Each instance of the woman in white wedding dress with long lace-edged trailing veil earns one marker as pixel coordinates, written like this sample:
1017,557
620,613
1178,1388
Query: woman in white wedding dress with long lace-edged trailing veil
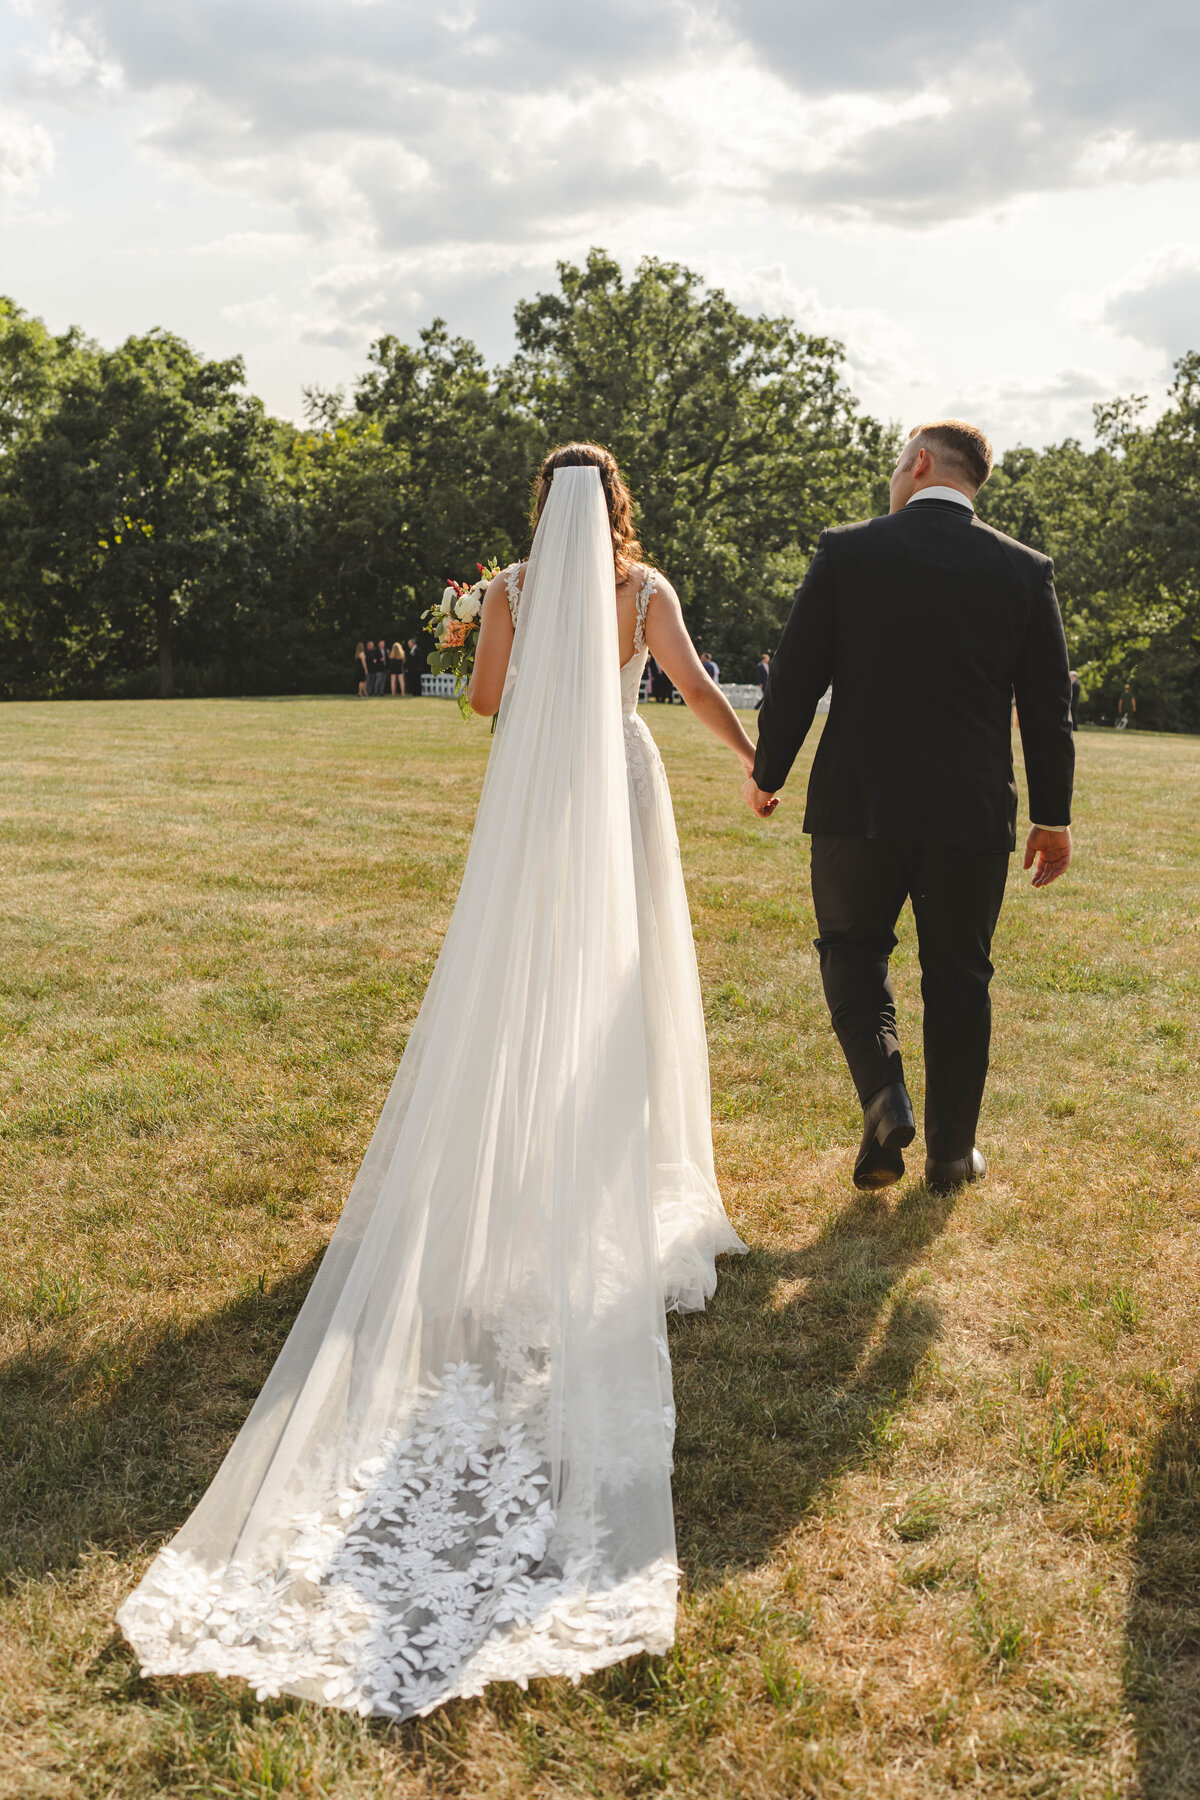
460,1470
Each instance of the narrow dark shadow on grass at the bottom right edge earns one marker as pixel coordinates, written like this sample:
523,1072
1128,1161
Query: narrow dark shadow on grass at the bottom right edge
1163,1635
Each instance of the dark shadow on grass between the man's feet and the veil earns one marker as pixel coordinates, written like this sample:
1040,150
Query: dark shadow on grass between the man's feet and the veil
787,1383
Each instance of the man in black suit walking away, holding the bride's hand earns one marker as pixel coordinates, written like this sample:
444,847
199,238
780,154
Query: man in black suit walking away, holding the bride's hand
927,624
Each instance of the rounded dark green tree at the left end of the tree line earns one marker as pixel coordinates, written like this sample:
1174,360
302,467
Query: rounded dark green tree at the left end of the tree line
136,514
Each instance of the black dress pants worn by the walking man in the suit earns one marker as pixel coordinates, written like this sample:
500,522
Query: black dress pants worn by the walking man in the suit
859,888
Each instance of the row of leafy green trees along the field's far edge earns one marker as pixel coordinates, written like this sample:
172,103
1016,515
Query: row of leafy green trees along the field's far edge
163,534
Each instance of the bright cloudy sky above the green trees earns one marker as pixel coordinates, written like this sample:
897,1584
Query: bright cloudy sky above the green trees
998,210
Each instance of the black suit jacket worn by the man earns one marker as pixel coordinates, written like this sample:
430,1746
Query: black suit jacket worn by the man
927,624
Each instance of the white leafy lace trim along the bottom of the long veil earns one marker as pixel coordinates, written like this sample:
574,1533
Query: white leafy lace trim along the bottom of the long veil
427,1576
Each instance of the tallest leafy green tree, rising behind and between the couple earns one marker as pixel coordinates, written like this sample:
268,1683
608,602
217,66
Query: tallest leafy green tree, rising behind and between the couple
739,436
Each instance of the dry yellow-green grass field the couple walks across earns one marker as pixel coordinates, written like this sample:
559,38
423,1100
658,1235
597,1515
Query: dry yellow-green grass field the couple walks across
938,1462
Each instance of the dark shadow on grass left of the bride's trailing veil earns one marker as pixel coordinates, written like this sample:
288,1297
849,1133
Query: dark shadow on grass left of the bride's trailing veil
112,1443
